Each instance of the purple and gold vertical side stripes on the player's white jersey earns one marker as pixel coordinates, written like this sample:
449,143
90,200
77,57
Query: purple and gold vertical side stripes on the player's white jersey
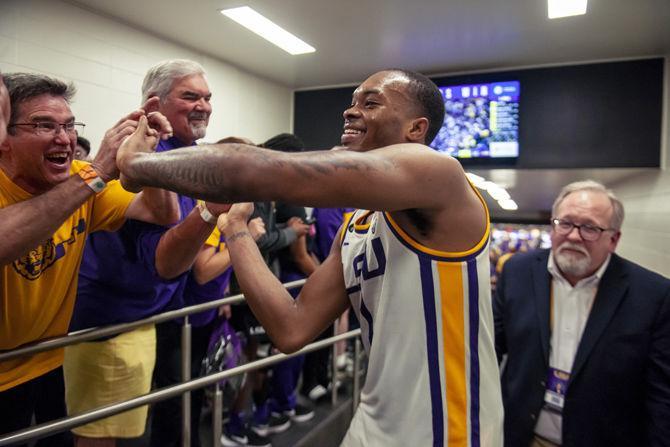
460,361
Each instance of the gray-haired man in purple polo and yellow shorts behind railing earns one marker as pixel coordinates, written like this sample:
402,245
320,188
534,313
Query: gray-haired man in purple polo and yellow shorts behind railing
134,273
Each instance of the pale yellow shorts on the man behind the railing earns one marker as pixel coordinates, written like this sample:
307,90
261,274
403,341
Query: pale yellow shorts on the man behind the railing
110,371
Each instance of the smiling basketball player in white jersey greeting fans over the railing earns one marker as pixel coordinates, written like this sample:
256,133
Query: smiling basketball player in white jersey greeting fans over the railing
414,267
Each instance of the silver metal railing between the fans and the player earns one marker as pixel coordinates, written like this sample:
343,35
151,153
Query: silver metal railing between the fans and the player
186,386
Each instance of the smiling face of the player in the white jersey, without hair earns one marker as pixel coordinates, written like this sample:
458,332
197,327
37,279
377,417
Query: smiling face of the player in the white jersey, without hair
380,113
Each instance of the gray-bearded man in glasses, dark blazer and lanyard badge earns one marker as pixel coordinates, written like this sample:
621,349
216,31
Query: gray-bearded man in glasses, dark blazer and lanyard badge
586,334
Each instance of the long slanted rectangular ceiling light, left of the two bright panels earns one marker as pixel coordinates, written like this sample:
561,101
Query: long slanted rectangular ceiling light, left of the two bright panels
268,30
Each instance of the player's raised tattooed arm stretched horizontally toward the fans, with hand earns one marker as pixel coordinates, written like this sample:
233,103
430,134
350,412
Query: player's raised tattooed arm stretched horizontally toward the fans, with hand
390,178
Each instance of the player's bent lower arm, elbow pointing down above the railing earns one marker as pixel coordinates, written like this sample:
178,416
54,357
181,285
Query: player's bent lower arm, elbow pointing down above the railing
291,324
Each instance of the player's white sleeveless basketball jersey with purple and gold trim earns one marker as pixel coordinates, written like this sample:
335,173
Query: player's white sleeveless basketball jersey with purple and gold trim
427,326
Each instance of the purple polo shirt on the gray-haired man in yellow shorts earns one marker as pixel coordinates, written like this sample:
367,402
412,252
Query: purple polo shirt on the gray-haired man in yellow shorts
118,281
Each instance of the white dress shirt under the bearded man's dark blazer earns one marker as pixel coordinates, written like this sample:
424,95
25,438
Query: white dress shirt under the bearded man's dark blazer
570,309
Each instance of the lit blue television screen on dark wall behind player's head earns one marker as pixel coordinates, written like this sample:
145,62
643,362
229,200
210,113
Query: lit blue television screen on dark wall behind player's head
481,122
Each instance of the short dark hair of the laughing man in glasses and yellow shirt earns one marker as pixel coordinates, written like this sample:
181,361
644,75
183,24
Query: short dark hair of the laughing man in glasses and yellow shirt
25,86
